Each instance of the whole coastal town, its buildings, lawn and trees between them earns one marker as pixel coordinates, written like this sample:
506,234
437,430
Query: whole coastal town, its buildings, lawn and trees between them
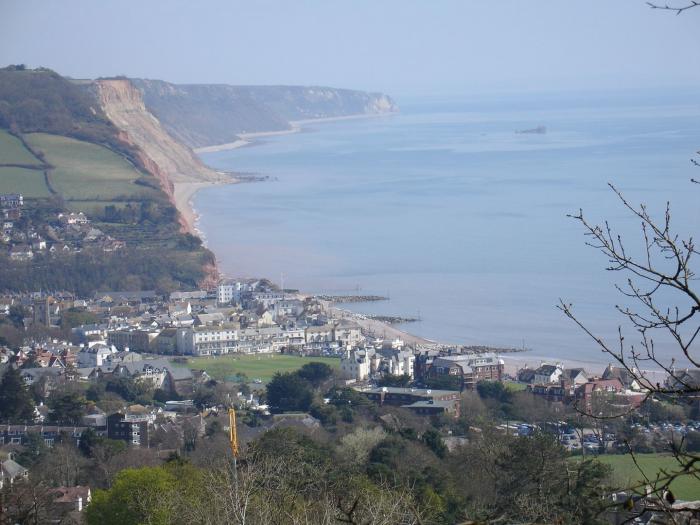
132,367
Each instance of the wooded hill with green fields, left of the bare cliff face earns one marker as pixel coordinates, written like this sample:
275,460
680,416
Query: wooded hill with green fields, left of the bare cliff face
61,152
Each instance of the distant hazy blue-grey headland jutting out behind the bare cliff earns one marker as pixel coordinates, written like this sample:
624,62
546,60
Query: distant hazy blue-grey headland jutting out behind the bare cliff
205,115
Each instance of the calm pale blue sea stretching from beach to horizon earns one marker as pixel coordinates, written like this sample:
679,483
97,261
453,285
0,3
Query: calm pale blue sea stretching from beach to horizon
456,217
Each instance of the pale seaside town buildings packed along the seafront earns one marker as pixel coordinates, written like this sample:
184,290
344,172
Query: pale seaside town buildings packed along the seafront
140,335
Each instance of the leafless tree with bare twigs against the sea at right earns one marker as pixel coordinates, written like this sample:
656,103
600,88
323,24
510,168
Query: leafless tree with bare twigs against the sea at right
661,305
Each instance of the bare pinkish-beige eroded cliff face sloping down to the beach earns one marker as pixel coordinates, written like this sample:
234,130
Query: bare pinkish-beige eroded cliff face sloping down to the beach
166,158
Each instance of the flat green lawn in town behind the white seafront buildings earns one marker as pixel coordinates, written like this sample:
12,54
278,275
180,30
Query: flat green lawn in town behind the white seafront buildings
258,366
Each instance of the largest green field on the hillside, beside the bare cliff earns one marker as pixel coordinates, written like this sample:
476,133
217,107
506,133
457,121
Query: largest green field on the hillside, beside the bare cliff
85,171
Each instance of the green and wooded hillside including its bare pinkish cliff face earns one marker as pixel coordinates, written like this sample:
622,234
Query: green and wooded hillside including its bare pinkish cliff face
63,152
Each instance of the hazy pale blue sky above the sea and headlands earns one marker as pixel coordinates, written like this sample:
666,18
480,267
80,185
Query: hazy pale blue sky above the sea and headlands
398,46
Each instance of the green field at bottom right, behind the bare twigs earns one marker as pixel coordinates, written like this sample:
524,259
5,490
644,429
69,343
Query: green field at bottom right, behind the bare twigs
627,474
